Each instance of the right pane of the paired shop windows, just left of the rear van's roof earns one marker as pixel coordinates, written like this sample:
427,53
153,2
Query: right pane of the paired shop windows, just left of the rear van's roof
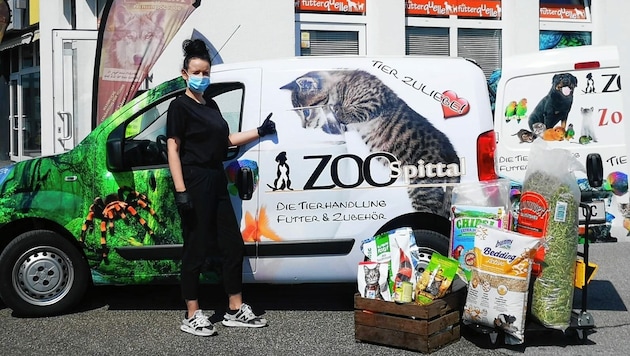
481,45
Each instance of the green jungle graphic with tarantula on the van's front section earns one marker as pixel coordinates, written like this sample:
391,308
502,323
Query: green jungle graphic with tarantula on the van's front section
130,209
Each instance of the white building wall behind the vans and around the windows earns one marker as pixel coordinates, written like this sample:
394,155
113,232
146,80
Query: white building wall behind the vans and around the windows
244,30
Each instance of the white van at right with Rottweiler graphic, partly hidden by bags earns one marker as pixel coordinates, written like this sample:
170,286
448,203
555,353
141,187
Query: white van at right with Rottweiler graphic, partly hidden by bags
571,98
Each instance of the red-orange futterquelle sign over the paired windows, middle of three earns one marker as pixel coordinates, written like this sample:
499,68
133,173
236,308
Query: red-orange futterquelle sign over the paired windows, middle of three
461,8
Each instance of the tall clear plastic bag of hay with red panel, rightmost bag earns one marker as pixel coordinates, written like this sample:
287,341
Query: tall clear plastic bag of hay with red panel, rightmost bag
549,208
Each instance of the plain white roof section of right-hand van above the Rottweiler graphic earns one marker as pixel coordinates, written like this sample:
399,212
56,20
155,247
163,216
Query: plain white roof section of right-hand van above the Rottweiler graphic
559,59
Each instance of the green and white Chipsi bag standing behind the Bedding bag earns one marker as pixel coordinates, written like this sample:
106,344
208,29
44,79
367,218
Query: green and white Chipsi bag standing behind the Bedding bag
474,204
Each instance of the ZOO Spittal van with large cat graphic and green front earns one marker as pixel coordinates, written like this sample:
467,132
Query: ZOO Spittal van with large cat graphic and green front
363,146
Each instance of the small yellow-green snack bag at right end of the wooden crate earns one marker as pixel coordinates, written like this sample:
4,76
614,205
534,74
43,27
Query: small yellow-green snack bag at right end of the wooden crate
436,278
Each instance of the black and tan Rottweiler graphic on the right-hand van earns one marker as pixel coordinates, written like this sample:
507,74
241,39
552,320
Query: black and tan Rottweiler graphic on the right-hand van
554,107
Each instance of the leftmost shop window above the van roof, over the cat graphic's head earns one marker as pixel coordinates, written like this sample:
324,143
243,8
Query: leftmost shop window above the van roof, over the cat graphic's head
326,43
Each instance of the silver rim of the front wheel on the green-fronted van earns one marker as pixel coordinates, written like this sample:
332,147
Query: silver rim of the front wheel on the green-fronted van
43,275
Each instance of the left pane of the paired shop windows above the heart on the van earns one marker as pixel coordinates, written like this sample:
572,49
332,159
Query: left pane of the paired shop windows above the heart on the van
431,41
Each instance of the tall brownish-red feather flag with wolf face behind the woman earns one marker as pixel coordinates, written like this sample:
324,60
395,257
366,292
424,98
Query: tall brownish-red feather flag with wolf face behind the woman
133,35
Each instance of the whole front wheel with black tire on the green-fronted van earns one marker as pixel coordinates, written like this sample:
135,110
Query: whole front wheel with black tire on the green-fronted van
41,274
